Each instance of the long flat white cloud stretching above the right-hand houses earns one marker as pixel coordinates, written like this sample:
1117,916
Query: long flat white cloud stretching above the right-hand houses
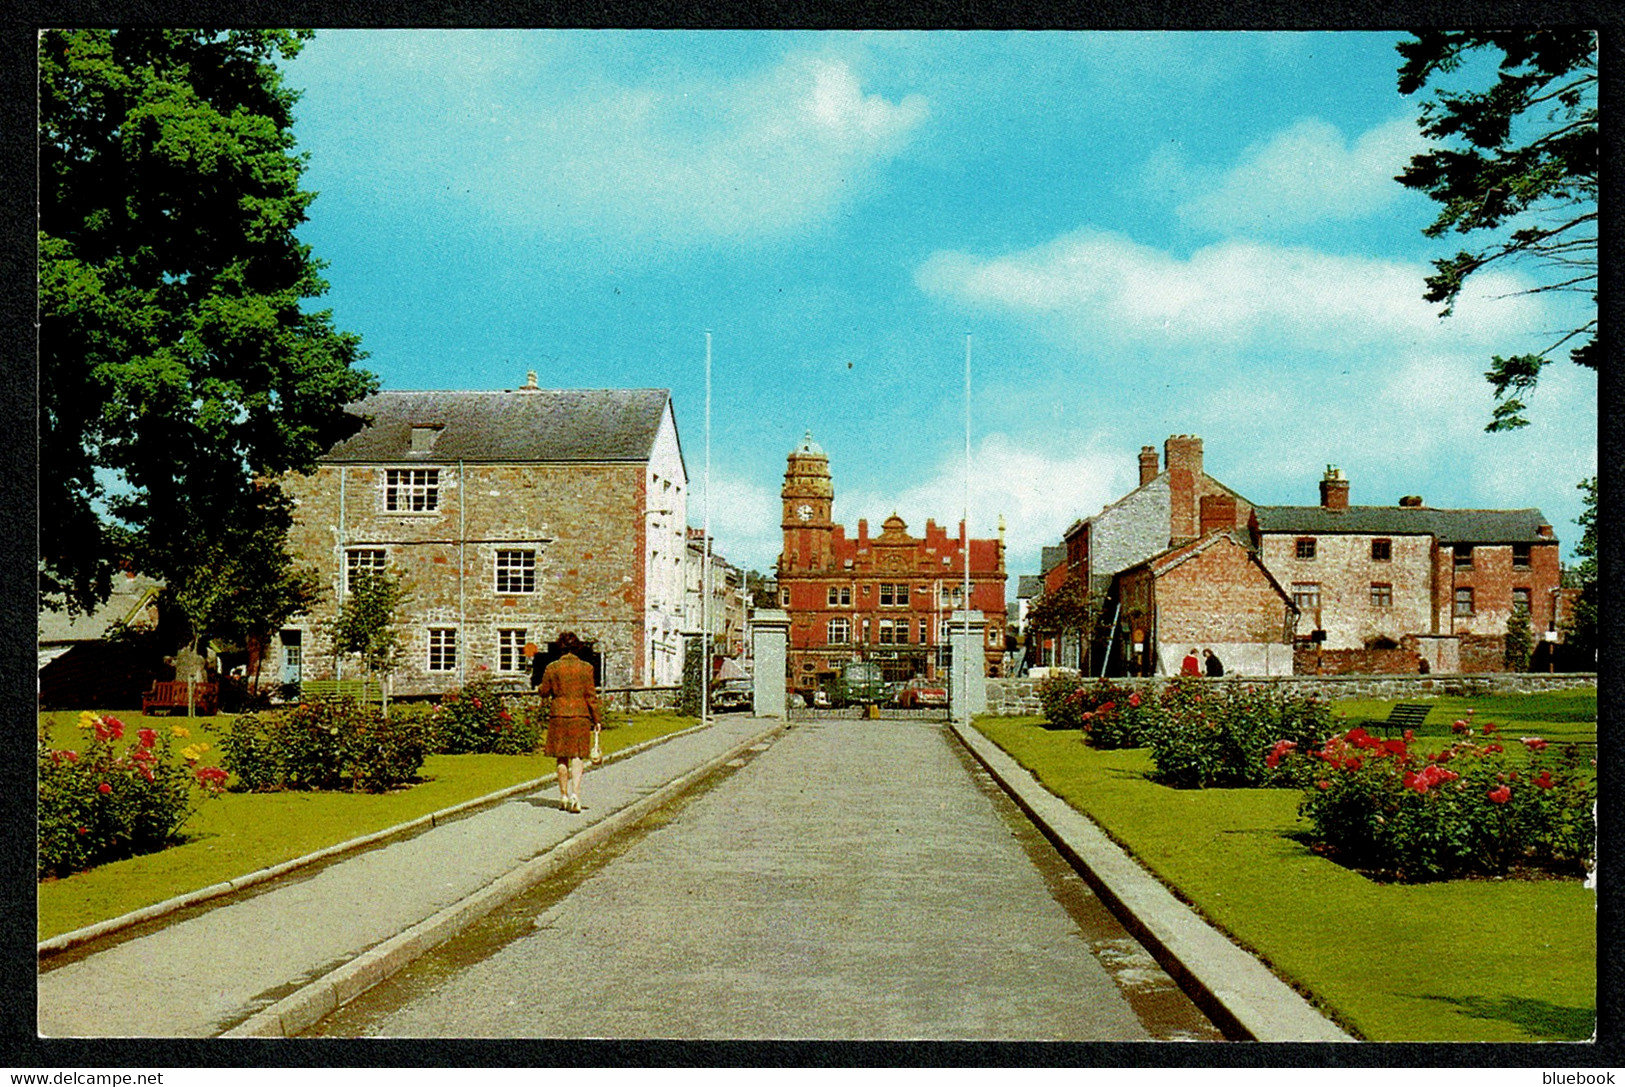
1103,287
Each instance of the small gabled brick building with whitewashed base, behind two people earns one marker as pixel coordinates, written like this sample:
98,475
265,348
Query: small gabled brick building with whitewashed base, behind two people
1211,594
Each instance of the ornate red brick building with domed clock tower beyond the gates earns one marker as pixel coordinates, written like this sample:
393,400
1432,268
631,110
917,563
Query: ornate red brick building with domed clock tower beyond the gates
882,599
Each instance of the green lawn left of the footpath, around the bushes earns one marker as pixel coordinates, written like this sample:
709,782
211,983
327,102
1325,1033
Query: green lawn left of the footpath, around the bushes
243,833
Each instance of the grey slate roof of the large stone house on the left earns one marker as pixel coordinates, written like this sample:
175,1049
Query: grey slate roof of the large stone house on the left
522,425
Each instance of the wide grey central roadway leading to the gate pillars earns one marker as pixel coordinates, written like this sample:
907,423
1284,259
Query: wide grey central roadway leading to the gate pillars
856,880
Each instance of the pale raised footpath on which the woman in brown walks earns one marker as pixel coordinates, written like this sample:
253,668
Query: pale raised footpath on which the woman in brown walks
202,976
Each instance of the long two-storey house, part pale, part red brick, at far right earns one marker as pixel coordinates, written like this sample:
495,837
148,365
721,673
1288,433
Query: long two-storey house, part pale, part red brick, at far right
1408,581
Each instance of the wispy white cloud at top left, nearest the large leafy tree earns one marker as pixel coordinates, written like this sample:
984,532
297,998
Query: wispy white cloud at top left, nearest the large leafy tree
701,163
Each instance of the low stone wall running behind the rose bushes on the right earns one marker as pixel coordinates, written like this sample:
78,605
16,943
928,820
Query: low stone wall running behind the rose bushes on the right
1020,698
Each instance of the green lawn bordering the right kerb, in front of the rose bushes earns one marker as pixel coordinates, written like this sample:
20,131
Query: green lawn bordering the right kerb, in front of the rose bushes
1475,961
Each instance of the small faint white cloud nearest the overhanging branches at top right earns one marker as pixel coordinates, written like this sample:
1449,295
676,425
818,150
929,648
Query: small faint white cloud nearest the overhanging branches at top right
1302,176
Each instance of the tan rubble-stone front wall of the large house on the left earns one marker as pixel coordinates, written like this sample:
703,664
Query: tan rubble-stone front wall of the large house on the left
583,522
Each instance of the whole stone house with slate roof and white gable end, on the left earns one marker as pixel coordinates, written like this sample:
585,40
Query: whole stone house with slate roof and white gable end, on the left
511,516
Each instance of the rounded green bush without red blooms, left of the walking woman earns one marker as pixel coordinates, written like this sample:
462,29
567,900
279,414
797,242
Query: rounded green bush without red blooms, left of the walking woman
327,745
